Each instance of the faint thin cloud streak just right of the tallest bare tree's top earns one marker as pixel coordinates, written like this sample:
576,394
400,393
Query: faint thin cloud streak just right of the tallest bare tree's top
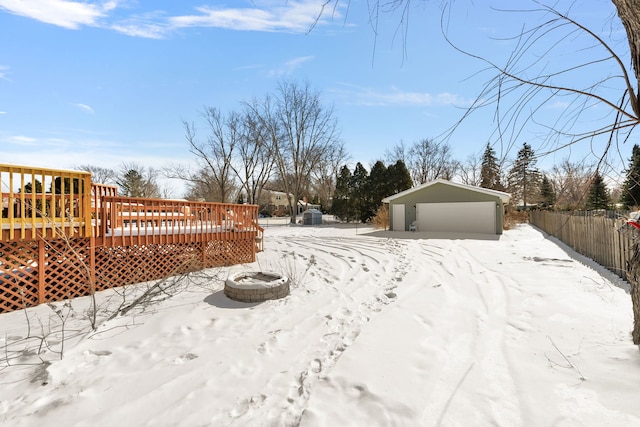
397,97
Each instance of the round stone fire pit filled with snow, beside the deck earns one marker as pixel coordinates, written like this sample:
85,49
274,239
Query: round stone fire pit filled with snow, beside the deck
256,286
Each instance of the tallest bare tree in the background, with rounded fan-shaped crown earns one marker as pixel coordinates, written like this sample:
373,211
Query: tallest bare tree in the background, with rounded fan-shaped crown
303,133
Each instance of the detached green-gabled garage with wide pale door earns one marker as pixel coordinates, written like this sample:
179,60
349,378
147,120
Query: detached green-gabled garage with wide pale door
445,206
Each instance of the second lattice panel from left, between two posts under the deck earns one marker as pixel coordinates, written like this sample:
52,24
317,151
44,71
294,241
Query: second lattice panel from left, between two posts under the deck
67,269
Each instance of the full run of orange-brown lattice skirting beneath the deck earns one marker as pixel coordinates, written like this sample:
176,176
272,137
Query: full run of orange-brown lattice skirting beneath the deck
65,266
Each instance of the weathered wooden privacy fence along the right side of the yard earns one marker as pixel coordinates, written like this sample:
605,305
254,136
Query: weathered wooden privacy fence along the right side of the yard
596,237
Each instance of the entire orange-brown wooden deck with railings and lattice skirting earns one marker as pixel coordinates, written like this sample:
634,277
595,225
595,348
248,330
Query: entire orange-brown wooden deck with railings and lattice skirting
63,236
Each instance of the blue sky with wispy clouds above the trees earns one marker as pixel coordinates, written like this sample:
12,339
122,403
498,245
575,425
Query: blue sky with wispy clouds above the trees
106,82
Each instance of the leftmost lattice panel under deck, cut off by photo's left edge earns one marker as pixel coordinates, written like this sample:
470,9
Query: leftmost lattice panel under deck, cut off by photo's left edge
18,275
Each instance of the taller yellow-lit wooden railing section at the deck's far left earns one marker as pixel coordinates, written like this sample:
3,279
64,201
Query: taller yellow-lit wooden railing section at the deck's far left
49,200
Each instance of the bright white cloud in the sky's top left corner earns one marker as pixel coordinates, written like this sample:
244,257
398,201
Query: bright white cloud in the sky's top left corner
64,13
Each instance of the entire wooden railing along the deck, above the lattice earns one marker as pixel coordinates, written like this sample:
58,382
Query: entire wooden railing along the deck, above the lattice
39,202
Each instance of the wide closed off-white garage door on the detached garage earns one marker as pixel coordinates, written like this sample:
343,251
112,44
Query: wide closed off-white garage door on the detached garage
469,217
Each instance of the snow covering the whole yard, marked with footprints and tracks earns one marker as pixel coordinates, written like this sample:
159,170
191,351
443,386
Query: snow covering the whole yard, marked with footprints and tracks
380,329
